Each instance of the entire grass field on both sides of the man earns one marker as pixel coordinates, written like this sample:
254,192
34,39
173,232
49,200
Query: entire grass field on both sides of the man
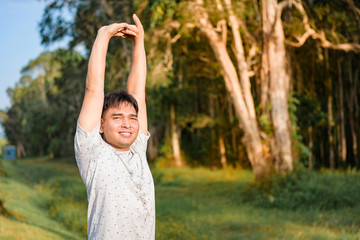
46,199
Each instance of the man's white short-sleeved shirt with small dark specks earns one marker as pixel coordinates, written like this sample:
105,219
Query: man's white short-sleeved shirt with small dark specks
120,187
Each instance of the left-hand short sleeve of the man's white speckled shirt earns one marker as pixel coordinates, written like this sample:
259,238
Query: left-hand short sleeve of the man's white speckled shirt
84,145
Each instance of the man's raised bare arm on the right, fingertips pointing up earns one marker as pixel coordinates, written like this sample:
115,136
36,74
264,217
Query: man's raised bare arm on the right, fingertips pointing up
137,77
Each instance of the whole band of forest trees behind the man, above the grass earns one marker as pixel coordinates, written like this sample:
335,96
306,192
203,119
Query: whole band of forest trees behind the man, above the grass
255,84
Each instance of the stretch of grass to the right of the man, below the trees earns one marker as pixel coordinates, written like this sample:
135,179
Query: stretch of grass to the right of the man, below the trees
205,204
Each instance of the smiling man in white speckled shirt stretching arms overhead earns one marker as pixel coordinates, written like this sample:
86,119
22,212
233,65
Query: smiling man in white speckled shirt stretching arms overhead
114,169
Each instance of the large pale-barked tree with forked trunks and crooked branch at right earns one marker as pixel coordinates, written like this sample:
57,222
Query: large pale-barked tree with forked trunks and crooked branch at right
266,152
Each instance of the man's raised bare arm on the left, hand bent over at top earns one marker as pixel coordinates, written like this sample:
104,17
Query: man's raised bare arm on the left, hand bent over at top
91,109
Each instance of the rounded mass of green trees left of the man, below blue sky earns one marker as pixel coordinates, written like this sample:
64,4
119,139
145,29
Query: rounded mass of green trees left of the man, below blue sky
46,103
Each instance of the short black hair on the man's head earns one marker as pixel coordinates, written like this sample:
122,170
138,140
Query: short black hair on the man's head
115,99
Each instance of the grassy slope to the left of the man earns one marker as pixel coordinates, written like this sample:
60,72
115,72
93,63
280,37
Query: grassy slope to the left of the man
46,190
